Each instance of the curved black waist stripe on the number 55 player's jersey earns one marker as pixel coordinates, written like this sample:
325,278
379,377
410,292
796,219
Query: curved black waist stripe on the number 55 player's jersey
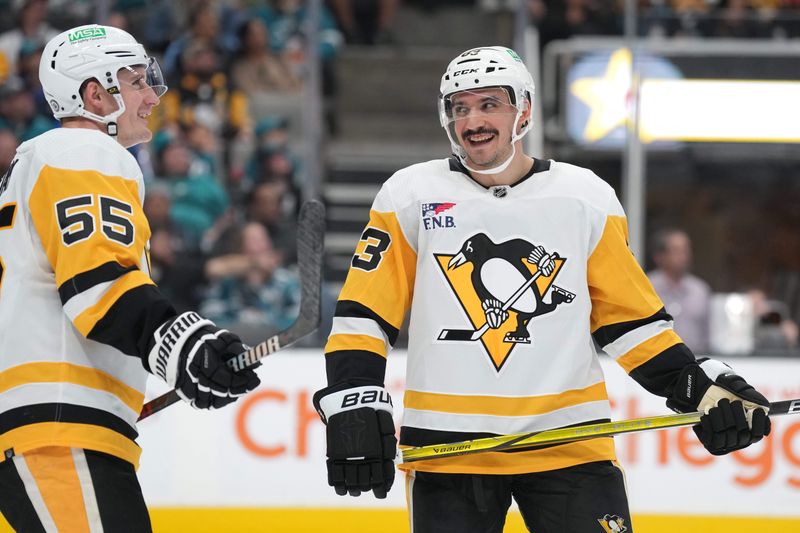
64,413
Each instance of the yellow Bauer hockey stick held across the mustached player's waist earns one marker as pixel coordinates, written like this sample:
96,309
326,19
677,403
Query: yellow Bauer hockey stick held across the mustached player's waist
537,439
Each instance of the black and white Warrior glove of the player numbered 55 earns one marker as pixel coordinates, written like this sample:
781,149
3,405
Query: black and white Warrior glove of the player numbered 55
190,353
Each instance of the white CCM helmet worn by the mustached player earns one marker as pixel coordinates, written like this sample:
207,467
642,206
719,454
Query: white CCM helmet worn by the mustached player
480,68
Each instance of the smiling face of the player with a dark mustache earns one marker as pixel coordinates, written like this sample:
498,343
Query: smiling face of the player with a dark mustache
483,120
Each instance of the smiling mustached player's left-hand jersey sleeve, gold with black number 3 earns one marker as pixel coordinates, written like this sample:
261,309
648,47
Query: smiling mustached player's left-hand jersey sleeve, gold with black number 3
374,299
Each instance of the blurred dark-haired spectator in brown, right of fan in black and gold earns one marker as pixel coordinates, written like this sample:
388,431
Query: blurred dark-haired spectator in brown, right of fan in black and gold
257,68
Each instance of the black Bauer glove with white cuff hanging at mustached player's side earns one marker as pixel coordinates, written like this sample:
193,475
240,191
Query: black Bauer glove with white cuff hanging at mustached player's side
360,434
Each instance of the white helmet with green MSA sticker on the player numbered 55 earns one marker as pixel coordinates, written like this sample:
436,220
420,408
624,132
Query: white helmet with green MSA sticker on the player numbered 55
92,52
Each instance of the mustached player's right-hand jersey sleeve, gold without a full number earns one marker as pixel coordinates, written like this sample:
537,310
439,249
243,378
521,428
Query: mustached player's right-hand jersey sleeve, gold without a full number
628,319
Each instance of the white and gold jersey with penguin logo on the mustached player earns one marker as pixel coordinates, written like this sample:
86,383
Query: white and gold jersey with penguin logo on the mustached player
451,251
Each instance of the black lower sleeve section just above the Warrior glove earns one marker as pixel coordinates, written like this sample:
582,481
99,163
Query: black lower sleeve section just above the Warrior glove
130,322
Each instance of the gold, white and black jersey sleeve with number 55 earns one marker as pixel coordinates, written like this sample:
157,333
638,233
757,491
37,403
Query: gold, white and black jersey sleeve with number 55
94,234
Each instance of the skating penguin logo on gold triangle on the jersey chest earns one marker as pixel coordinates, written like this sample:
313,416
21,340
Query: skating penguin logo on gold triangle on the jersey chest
501,287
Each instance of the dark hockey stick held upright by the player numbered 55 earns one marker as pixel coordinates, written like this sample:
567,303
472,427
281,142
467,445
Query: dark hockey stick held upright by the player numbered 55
310,243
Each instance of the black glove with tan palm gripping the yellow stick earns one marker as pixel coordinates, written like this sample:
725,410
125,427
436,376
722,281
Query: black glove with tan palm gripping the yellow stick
735,413
